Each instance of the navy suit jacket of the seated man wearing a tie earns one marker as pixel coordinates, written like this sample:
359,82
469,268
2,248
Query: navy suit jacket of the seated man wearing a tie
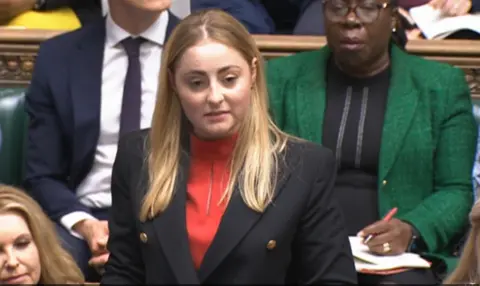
63,103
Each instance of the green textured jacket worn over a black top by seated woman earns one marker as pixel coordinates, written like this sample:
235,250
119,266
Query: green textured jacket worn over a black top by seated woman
428,140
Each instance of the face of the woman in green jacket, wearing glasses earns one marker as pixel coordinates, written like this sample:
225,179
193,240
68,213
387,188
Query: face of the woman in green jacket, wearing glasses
359,38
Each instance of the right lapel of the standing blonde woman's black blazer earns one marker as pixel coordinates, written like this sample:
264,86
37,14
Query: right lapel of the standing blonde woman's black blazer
236,223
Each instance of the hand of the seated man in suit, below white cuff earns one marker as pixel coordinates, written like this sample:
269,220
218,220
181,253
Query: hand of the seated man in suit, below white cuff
95,232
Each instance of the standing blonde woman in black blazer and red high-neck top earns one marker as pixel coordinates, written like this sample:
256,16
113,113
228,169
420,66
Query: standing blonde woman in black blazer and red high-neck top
214,192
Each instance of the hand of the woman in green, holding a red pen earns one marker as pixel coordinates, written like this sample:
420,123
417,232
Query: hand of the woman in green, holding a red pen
395,233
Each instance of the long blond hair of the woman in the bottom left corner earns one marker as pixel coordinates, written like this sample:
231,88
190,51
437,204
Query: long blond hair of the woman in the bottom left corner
57,266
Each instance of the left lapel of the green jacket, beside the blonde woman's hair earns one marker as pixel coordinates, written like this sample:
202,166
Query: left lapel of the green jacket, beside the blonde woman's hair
311,97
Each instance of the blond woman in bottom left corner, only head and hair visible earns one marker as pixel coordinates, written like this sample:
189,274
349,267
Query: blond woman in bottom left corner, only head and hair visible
30,252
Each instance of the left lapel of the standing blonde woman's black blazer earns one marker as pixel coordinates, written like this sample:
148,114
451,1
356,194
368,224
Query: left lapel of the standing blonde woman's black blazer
171,230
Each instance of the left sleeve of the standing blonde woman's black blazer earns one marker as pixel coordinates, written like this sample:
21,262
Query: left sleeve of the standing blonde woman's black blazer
125,263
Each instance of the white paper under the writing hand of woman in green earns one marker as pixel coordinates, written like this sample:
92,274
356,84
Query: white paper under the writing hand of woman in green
364,259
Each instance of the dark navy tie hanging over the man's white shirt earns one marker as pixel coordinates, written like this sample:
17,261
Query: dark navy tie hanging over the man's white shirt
132,93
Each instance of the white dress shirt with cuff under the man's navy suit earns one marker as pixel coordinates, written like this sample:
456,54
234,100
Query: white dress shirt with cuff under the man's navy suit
94,191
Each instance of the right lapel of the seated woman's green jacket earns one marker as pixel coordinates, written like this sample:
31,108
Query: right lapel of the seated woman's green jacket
401,105
